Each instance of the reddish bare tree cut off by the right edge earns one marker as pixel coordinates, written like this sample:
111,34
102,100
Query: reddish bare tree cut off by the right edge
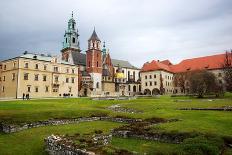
227,69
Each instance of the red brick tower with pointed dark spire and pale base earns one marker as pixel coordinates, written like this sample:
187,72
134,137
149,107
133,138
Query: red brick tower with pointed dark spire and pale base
94,61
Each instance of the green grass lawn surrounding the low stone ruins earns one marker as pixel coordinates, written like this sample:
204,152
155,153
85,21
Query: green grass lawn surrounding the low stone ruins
30,141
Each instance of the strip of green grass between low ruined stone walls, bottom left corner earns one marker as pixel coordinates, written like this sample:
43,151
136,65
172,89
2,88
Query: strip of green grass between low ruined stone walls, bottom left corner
32,141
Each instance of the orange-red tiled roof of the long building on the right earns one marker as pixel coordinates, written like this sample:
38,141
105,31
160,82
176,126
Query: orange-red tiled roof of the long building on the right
200,63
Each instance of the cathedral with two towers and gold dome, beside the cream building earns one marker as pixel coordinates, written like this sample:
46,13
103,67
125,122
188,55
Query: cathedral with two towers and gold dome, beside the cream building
98,73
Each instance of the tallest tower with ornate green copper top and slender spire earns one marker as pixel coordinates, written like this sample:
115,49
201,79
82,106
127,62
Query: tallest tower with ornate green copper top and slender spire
70,42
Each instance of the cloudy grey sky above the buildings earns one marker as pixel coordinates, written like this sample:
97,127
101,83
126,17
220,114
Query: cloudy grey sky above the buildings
134,30
